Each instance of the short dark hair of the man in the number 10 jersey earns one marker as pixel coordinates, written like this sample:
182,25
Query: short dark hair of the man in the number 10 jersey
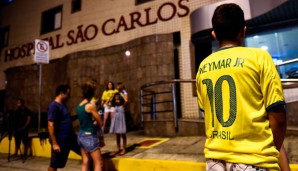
227,21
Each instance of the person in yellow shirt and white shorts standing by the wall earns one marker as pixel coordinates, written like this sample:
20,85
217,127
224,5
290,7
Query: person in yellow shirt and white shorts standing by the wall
107,95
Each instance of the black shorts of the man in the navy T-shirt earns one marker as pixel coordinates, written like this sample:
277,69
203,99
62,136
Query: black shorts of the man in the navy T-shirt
58,160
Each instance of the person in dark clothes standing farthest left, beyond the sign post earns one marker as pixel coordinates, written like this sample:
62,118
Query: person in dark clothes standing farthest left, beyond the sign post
22,119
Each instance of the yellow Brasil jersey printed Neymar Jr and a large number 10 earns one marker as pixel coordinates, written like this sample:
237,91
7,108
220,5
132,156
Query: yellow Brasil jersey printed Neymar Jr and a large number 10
235,87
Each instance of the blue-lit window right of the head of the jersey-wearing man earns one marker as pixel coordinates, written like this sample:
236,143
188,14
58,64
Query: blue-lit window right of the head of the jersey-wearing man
282,45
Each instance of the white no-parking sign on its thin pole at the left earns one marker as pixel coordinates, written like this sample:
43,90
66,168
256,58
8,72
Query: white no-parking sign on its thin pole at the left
41,56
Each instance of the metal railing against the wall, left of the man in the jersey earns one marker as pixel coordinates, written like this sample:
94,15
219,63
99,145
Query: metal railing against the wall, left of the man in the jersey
150,101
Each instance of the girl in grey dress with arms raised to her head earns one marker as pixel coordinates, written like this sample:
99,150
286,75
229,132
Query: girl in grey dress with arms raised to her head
118,125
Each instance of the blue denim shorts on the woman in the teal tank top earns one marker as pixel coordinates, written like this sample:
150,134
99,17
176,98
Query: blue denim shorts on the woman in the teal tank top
88,141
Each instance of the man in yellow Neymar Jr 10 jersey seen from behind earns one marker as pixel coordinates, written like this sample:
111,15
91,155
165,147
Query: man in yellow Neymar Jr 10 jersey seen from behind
240,92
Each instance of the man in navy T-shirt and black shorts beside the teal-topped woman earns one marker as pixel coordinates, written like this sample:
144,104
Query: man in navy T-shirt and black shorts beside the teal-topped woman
62,137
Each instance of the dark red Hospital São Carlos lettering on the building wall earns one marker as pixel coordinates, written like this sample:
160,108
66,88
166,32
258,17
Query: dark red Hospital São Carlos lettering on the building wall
112,26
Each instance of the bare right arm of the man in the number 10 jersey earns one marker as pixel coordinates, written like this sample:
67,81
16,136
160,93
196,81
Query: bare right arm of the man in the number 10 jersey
278,124
